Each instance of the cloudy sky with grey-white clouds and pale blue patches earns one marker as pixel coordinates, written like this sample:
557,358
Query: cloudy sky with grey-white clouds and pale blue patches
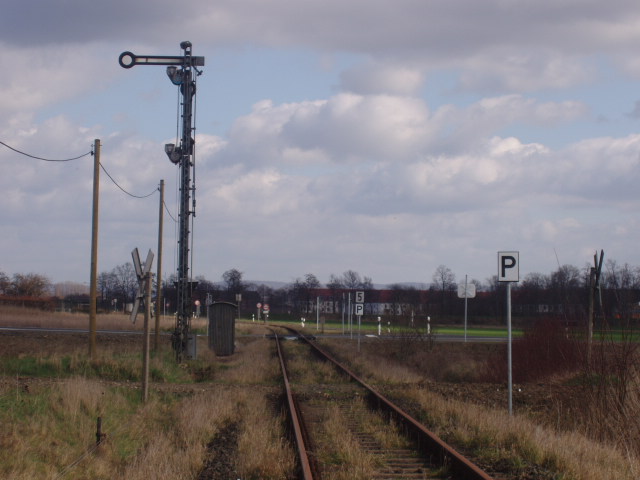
385,137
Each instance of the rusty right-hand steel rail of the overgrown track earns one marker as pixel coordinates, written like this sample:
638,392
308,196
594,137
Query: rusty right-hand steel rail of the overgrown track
434,446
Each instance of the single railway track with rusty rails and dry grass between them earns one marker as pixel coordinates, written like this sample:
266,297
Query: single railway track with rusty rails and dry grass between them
343,428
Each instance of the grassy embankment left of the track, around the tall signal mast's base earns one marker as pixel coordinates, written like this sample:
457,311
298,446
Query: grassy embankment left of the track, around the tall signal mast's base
51,395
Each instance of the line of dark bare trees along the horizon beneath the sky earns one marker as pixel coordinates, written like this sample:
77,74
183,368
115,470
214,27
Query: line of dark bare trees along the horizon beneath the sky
563,292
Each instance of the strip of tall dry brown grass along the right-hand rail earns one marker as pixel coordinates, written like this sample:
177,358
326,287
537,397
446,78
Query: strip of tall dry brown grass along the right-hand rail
500,439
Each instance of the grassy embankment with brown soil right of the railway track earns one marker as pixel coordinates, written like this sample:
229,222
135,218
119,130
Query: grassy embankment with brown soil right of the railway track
519,446
